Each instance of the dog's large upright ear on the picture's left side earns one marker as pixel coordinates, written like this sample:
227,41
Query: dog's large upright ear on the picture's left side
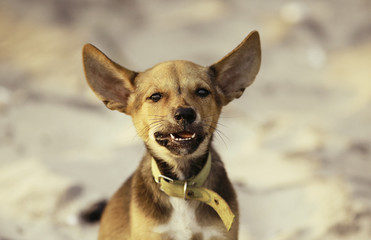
111,82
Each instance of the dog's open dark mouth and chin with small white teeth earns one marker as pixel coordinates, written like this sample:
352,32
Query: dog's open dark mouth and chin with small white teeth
180,143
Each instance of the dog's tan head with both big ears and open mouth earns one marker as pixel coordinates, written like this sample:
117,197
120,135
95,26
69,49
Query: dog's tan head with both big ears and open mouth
175,105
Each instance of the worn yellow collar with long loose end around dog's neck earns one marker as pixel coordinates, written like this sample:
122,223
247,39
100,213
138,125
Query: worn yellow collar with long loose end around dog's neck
191,189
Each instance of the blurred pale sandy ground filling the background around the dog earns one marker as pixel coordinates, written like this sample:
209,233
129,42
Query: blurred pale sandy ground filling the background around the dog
297,145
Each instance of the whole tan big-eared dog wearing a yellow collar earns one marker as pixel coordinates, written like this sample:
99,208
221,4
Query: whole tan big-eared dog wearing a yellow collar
180,189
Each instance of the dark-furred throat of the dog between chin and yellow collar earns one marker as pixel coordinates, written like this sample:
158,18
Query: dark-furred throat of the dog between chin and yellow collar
182,170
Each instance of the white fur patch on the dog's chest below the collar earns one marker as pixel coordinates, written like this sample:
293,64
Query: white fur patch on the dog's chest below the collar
183,224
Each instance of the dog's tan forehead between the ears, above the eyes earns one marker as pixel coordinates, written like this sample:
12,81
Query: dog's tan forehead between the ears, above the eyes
177,73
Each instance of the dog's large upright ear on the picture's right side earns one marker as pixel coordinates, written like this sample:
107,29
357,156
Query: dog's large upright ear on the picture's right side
238,69
